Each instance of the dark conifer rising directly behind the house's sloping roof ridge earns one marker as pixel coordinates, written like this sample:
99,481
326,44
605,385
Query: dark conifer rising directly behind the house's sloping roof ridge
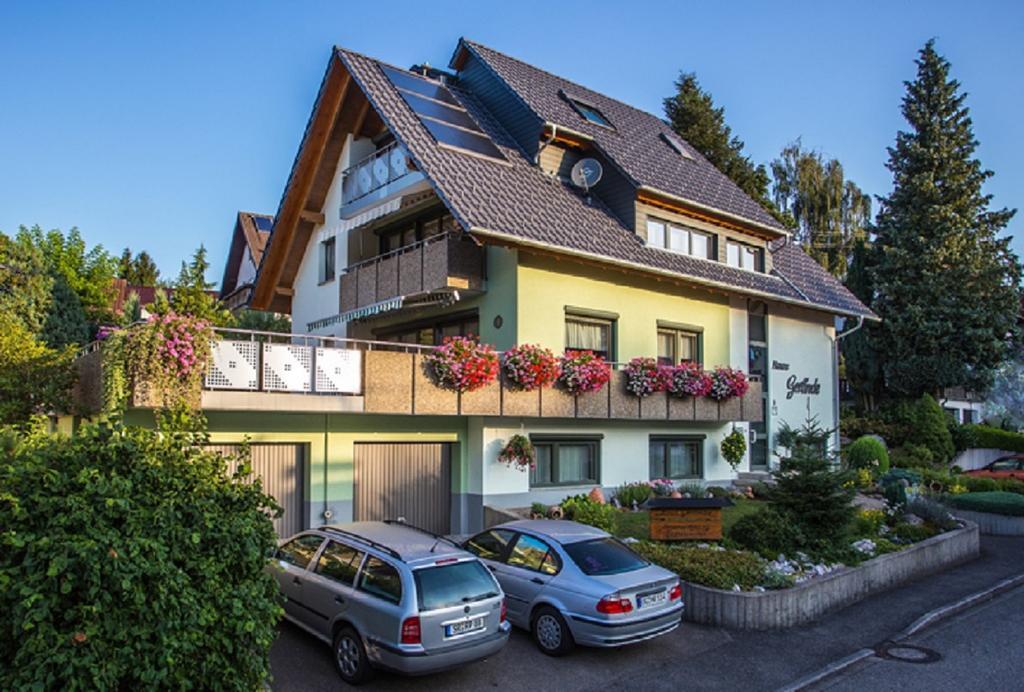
693,114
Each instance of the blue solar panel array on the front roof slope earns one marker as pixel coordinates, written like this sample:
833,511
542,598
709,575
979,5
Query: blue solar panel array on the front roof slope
443,115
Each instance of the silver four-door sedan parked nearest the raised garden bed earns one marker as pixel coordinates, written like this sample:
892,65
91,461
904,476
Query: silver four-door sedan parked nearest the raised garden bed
571,584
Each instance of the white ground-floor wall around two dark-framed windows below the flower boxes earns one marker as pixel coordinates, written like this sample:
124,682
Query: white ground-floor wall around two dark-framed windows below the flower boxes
624,457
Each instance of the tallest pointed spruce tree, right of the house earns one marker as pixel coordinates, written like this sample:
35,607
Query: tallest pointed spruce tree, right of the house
947,287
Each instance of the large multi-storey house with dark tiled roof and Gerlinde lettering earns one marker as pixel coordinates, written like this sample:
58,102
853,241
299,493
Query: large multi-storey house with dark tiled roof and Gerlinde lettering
424,204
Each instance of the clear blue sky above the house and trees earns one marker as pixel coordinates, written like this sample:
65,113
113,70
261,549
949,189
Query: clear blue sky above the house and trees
150,125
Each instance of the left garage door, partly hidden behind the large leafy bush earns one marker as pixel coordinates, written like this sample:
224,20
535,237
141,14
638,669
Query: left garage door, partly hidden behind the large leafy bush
281,468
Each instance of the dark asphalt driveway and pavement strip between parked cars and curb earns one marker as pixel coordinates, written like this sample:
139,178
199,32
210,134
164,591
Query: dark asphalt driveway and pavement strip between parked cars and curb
694,658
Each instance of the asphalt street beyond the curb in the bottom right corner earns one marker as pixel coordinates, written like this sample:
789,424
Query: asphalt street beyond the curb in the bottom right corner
980,650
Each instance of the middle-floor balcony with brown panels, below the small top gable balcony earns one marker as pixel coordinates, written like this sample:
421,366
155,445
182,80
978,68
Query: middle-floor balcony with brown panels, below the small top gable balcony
441,265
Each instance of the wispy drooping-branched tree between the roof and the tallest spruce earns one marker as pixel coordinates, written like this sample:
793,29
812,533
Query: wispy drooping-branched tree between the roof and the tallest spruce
829,213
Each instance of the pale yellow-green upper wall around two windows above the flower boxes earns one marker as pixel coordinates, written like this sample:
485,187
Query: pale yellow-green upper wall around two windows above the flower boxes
546,287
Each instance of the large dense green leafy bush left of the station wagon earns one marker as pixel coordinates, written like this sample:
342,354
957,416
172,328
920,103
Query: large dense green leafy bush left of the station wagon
133,560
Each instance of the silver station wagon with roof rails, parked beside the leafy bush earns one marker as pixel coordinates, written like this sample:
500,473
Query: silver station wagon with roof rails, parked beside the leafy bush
391,596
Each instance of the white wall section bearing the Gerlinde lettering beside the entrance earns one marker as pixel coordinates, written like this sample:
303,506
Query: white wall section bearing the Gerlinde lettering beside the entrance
802,340
